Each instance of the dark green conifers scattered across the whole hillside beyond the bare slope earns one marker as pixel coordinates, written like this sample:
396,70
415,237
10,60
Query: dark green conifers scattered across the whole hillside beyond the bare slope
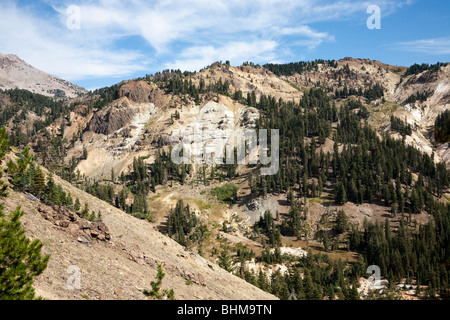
362,167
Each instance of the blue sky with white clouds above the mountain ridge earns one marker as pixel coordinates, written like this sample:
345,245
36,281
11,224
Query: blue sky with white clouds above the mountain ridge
119,40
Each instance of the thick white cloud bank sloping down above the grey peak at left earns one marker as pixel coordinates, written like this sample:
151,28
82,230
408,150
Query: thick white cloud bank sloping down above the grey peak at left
61,51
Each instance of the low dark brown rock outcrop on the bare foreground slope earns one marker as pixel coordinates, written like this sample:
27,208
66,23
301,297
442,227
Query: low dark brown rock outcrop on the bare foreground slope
80,229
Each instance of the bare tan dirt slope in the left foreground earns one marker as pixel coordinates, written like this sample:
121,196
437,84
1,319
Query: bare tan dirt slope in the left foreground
122,267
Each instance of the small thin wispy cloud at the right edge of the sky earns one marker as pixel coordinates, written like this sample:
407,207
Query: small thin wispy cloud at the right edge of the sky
437,46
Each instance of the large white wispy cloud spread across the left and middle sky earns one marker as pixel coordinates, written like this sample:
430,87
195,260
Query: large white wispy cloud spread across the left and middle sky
187,34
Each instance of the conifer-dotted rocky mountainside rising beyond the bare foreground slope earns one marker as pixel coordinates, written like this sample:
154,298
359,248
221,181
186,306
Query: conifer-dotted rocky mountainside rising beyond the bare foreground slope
352,189
